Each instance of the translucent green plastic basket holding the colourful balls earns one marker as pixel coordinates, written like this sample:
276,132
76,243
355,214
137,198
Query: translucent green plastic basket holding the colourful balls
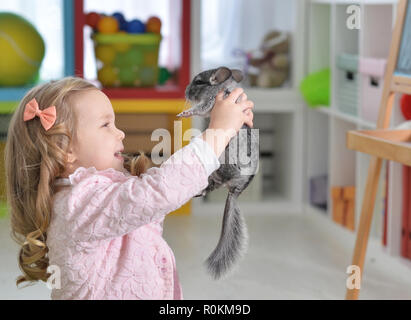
127,60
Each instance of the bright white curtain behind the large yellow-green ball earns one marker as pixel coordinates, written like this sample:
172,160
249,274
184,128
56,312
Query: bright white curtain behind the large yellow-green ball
47,17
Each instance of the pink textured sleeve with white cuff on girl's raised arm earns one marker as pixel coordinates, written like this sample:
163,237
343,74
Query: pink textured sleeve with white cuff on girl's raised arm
101,209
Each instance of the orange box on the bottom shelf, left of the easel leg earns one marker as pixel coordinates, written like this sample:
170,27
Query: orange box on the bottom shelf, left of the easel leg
343,199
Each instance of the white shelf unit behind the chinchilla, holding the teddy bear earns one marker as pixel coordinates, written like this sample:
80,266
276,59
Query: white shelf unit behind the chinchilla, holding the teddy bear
278,112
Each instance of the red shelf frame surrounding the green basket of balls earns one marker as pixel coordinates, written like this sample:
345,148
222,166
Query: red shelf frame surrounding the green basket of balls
176,91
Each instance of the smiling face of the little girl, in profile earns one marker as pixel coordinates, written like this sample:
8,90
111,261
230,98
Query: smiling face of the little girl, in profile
97,139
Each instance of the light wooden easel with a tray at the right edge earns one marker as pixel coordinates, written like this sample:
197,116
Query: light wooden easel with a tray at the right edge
383,144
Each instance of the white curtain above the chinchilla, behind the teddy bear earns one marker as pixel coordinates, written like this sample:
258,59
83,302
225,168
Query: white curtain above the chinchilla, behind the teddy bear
231,25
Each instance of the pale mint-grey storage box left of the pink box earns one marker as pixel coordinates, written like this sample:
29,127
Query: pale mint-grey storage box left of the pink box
347,85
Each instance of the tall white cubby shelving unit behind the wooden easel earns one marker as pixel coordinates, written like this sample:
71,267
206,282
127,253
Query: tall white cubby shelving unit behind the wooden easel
328,37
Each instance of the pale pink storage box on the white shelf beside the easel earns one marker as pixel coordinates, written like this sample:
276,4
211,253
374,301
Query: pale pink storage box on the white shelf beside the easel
372,84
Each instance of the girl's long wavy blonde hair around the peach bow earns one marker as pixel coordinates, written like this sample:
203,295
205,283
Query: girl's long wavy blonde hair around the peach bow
34,158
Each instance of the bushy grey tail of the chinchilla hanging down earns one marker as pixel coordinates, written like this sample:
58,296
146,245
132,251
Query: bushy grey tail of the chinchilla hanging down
233,240
